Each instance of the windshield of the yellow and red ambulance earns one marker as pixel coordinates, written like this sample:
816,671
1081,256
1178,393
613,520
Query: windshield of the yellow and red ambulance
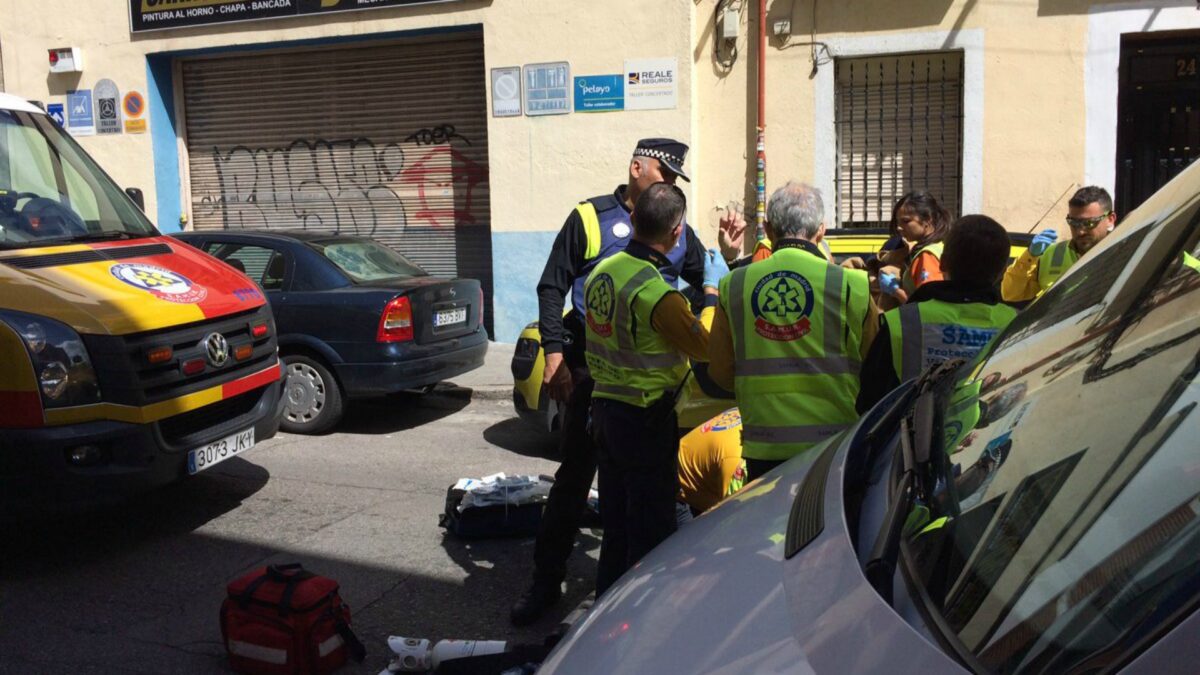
51,192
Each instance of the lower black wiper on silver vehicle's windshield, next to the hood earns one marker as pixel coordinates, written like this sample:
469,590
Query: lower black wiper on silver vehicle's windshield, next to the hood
916,481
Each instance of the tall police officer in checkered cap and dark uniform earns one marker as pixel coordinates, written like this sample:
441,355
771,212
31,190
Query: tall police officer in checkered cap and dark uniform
595,231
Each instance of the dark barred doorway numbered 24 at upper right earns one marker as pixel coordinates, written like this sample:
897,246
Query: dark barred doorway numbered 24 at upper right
1159,112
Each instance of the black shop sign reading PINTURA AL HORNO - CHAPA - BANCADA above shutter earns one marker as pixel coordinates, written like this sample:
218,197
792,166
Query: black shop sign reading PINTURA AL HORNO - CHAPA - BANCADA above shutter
158,15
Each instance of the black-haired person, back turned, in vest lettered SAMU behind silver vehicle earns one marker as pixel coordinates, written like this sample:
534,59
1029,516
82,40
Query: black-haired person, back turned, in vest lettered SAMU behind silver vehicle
944,320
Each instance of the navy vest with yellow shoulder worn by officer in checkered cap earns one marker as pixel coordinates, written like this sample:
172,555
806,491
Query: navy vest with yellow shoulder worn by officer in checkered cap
608,231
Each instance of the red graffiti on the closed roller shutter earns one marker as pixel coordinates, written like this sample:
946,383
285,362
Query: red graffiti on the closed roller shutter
446,182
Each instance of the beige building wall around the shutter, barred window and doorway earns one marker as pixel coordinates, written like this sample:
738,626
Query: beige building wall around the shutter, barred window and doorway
1033,140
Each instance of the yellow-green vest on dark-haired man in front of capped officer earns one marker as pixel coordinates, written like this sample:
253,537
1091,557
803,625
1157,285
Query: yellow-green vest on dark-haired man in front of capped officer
628,360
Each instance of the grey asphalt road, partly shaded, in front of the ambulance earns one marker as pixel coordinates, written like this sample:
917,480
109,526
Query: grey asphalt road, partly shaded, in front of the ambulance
137,588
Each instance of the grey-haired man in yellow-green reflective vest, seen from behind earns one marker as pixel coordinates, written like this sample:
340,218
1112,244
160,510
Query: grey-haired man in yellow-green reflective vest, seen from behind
790,334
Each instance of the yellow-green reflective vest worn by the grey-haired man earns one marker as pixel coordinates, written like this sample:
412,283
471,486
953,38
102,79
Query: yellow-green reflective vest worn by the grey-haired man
797,328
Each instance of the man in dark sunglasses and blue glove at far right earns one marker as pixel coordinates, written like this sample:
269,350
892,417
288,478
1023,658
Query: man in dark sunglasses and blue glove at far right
1091,219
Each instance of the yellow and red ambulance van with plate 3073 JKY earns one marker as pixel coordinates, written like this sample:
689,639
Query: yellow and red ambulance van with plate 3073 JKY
128,360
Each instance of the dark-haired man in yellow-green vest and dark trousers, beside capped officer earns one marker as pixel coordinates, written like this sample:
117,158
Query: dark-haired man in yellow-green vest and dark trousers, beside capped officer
640,334
